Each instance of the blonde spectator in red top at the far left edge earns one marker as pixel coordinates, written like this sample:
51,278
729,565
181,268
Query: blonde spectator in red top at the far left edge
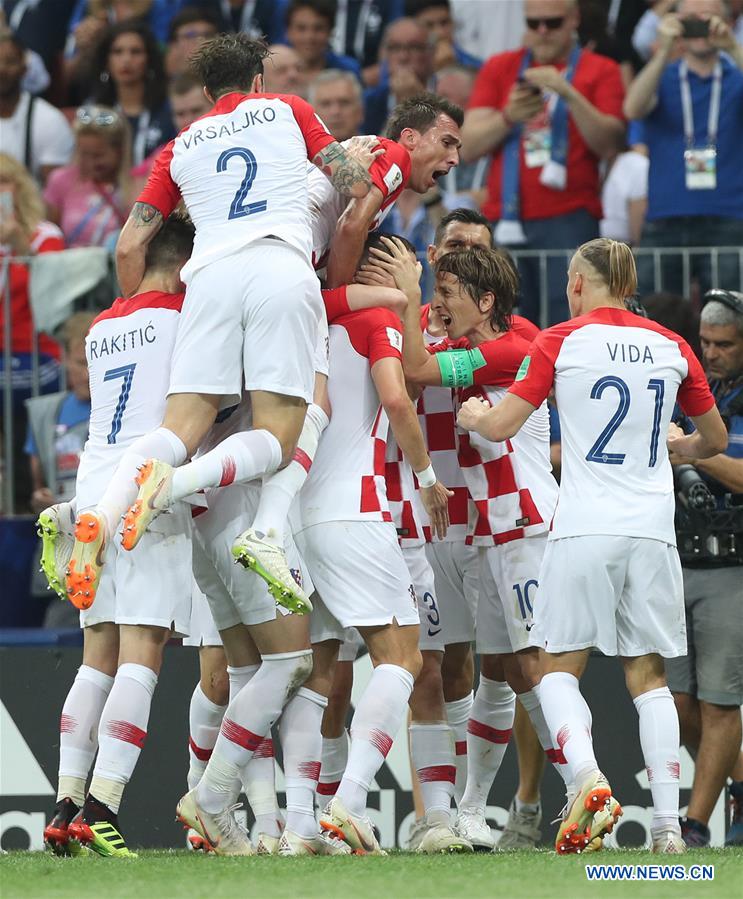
24,232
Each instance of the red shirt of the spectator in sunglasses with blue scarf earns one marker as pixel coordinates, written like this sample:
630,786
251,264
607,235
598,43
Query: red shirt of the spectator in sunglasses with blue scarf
599,80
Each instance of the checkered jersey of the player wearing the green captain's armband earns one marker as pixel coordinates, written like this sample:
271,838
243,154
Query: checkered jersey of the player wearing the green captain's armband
511,484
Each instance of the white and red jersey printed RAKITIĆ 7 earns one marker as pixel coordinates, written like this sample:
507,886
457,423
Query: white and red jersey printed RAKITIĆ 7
128,348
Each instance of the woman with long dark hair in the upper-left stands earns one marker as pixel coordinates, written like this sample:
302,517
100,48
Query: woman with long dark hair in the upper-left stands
128,75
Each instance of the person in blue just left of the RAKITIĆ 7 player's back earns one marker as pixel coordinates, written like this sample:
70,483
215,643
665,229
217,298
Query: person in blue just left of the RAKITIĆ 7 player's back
58,422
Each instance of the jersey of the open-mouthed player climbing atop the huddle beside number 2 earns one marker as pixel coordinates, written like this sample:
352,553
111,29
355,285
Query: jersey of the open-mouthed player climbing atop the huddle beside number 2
389,173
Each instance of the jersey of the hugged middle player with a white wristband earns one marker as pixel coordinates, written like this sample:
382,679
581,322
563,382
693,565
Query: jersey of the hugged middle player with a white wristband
346,480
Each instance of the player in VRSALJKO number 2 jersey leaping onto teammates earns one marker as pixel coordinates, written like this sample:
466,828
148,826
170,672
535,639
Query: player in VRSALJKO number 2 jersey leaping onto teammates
241,171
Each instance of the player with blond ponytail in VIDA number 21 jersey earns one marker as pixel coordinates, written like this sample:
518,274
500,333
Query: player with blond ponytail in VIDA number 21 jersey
611,576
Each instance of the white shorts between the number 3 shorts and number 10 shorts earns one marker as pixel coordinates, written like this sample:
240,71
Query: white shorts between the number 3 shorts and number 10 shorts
456,573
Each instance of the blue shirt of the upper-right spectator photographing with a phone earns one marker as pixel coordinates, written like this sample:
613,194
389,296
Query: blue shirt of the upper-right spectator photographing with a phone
664,136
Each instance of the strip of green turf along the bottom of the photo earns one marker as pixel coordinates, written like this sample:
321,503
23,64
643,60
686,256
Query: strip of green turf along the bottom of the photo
531,875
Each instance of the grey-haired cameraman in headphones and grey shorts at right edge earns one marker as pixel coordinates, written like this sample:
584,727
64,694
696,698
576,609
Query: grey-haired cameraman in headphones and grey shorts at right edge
707,683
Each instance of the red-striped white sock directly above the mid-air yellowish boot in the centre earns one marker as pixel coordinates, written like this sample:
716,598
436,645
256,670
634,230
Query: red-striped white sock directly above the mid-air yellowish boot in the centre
280,489
